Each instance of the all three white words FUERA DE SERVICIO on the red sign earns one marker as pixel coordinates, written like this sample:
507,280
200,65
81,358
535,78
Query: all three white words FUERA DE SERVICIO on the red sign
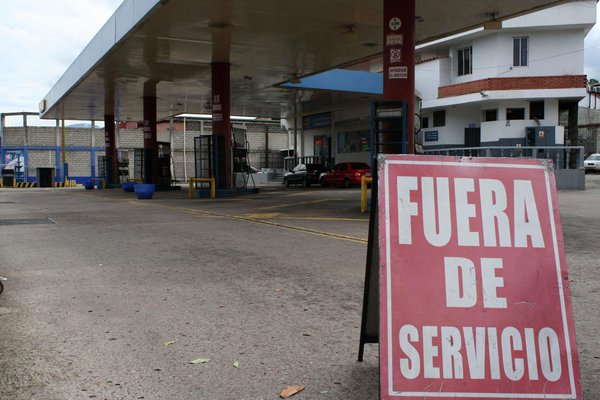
473,352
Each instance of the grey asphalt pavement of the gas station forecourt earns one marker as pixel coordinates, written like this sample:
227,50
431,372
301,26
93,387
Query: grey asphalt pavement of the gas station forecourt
109,297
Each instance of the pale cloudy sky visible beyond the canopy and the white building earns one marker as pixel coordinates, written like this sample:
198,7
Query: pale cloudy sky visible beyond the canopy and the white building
39,39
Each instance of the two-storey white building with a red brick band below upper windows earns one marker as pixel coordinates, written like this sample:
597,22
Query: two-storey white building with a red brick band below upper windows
487,86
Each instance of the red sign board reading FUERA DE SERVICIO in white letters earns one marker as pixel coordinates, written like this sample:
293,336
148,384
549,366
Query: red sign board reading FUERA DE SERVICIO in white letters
474,297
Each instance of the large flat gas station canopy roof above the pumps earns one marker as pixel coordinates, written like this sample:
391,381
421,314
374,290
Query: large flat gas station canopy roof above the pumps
165,48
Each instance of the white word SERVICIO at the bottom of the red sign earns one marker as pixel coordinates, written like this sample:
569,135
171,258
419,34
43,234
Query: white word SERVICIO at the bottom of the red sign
479,342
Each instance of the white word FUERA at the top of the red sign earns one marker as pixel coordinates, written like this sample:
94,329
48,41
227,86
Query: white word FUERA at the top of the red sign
522,231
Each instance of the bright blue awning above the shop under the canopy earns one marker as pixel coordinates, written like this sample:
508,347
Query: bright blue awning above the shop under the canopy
341,80
